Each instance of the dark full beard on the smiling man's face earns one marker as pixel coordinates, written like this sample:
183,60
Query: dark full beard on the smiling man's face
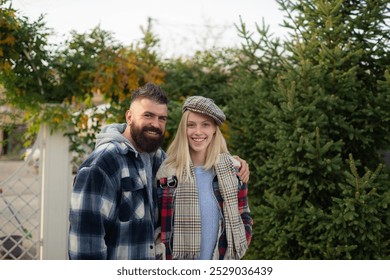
143,141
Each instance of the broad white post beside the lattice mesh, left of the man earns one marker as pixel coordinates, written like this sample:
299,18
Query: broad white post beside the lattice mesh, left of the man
56,176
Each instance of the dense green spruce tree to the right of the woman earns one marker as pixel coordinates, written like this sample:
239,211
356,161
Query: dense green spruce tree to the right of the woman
320,191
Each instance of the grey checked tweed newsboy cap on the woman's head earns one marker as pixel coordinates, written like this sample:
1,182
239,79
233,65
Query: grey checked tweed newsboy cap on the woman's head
206,106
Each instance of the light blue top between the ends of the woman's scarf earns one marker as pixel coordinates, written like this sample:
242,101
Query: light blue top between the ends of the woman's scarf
209,212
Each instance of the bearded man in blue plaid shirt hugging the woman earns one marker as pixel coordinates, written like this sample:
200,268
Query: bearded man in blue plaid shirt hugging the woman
113,211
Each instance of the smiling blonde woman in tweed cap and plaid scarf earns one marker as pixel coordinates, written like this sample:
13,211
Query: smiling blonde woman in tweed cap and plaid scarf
204,210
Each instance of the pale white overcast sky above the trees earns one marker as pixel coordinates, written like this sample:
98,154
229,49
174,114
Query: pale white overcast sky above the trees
182,25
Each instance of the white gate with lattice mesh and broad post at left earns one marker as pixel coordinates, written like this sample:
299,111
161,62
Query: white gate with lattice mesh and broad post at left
34,202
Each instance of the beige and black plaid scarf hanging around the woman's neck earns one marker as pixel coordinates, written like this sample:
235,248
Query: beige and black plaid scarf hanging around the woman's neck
187,230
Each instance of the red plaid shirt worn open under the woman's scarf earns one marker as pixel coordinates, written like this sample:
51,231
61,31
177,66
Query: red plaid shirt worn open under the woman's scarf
166,203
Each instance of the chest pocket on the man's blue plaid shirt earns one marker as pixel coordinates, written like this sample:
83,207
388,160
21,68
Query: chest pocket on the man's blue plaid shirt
132,205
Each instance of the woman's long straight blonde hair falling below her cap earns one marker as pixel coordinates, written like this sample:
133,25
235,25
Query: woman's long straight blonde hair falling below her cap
178,153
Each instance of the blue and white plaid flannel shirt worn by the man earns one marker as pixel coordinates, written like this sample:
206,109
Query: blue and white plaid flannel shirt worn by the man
113,210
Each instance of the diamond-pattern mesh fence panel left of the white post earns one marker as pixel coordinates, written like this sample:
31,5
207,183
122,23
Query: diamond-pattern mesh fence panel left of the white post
20,211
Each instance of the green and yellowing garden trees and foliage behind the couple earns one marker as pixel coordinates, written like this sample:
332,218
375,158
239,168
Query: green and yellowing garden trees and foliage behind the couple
309,112
